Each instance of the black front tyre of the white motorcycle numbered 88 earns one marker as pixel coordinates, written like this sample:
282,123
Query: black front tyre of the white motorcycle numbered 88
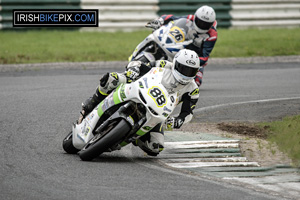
112,134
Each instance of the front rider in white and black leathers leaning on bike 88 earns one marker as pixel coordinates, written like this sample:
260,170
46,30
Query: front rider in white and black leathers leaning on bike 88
178,77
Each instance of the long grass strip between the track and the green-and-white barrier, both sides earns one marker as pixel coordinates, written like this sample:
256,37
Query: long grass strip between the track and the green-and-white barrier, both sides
74,46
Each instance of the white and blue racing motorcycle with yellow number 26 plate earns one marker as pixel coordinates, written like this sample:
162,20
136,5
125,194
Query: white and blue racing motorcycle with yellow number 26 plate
163,43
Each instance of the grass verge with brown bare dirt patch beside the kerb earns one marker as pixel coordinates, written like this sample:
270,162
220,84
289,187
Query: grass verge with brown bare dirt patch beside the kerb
283,134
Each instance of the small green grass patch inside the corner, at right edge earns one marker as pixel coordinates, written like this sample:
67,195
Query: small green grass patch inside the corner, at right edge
286,134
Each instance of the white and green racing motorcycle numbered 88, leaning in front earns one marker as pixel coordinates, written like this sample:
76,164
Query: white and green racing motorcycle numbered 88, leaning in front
128,113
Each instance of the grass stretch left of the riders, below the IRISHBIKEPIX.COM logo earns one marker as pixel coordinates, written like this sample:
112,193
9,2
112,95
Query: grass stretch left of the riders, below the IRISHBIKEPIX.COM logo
66,46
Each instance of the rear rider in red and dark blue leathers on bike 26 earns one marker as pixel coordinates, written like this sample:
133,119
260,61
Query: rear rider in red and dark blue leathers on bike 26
202,30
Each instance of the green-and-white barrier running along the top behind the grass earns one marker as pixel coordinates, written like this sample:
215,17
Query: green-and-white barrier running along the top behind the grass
133,14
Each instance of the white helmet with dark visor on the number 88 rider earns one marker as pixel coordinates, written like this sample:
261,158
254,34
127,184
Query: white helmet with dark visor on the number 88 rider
185,66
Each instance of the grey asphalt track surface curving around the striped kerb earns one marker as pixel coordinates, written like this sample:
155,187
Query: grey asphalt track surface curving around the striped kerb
38,107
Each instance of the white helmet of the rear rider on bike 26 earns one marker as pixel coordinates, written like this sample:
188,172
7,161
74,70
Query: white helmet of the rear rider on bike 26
204,18
